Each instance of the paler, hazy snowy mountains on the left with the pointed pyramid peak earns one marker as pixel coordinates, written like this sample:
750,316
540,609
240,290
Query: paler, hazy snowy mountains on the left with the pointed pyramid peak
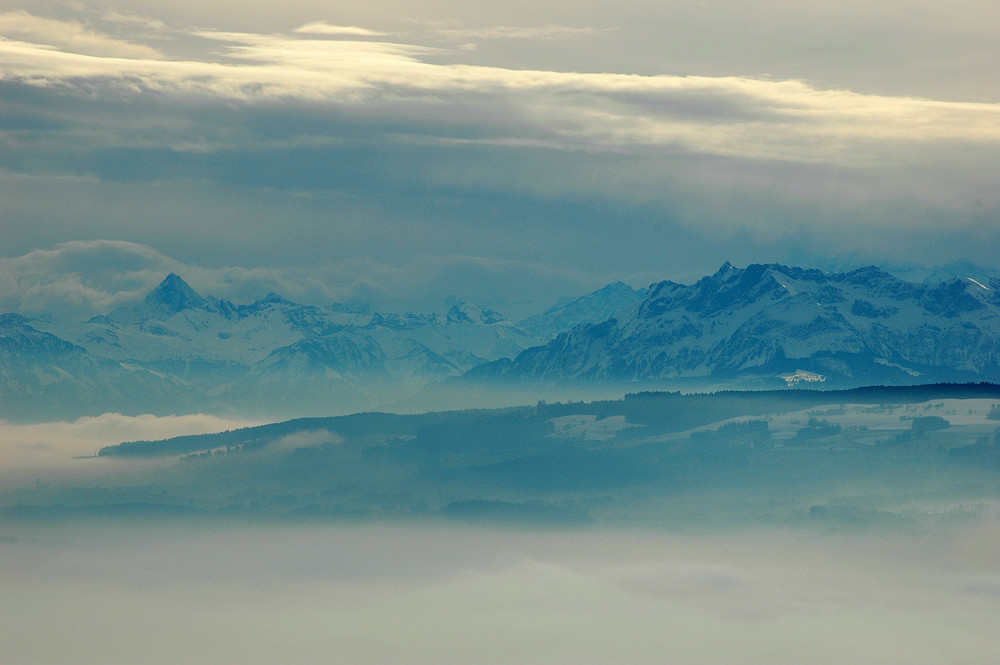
180,351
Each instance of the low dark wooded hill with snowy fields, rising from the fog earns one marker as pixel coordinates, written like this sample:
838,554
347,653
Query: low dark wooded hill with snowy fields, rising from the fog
870,457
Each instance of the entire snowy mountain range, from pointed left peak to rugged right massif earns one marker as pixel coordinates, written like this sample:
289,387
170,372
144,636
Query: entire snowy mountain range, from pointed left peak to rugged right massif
178,351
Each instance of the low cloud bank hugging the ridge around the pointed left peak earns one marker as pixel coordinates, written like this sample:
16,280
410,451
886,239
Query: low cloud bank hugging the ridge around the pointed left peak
77,280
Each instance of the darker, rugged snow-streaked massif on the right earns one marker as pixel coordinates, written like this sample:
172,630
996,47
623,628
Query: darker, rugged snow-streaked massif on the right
768,321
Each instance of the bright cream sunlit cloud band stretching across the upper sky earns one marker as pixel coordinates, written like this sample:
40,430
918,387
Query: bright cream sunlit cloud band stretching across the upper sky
746,117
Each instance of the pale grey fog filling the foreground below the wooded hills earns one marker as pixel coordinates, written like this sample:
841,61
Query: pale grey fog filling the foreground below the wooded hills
124,593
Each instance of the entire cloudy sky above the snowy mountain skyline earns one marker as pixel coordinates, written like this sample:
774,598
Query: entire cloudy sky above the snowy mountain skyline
402,153
